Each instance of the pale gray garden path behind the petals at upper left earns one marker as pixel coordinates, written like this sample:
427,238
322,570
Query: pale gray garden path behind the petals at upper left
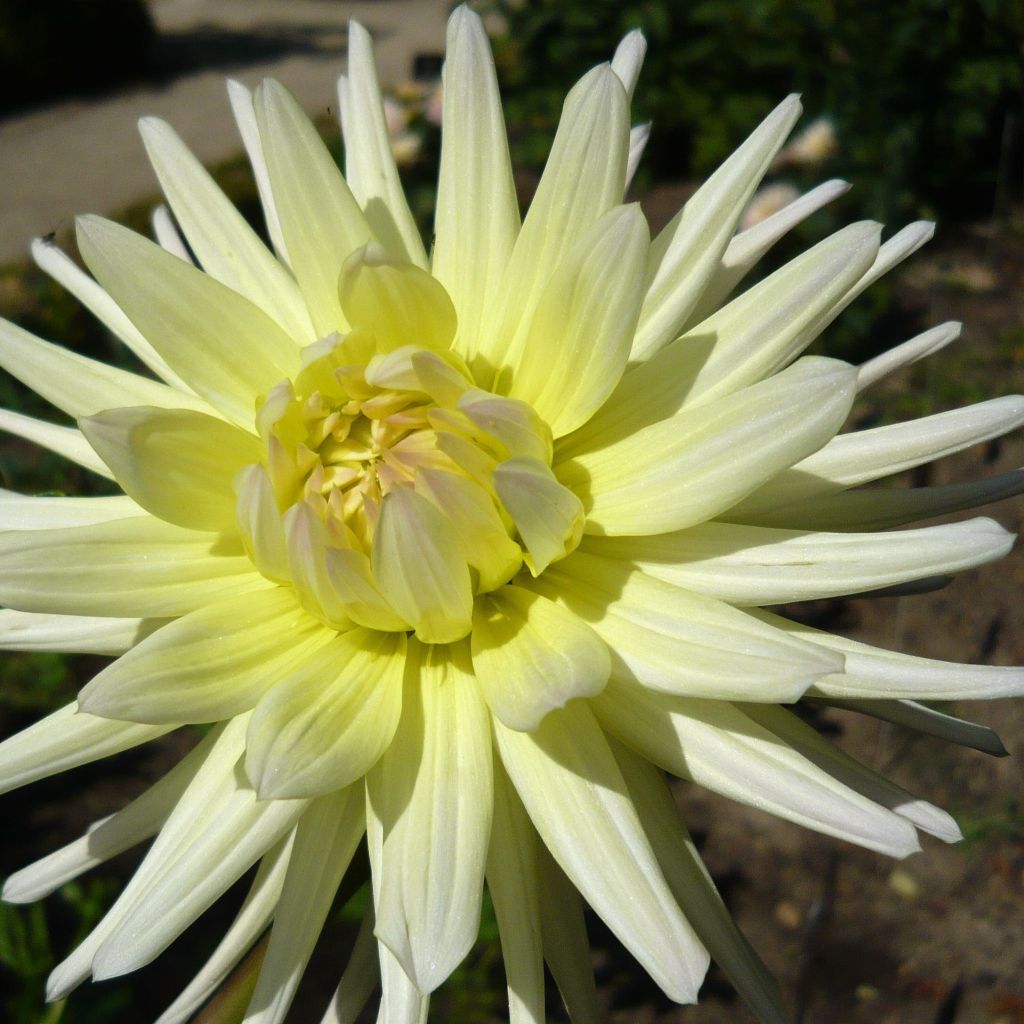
86,156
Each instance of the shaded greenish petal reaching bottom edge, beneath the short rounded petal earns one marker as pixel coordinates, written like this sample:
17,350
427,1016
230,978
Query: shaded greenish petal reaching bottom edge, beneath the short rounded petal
325,841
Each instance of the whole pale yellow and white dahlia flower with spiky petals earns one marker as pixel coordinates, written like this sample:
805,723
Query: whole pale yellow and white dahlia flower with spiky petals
460,551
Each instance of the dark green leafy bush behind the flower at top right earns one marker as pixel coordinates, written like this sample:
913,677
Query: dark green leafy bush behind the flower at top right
920,93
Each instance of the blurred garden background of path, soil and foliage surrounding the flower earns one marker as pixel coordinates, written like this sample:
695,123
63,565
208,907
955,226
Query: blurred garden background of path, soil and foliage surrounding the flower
920,105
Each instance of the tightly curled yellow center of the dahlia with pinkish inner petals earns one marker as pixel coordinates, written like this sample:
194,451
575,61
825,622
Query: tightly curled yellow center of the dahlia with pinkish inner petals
395,491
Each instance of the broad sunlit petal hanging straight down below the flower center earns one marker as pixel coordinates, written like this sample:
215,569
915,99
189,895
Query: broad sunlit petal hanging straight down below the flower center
430,806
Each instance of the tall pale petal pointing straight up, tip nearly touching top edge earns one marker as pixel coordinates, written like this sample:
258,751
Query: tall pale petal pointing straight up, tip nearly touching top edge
478,218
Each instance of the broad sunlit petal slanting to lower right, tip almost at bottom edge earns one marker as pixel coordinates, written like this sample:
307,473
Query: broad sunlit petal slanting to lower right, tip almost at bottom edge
566,773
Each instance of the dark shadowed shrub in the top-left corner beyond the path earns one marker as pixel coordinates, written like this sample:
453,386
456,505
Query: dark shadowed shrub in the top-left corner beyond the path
70,47
